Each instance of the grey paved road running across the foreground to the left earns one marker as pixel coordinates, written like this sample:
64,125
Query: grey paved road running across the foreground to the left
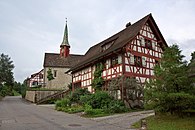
17,114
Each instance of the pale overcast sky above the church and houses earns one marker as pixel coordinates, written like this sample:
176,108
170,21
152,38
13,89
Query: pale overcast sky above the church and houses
29,28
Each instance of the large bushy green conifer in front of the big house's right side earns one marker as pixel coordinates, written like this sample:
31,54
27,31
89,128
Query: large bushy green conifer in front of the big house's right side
170,90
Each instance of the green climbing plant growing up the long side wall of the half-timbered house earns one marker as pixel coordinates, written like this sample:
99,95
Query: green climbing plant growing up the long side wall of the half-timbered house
98,81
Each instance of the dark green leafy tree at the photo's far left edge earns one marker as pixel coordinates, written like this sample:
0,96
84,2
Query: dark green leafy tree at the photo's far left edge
6,68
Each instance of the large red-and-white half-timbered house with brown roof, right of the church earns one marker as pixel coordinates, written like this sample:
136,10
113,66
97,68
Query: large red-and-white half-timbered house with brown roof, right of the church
132,52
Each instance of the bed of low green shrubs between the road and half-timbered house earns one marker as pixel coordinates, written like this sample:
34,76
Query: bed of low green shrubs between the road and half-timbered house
97,104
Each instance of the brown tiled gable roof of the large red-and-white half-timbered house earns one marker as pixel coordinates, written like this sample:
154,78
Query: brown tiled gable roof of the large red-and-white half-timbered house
117,42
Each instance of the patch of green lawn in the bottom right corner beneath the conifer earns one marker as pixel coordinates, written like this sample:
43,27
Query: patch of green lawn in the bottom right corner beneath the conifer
168,122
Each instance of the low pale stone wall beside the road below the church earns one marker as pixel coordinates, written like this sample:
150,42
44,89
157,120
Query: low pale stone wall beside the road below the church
37,95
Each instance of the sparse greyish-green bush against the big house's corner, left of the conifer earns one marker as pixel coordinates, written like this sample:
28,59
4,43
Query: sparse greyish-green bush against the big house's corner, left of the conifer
133,91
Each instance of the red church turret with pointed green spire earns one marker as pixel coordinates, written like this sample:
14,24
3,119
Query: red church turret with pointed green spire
65,47
